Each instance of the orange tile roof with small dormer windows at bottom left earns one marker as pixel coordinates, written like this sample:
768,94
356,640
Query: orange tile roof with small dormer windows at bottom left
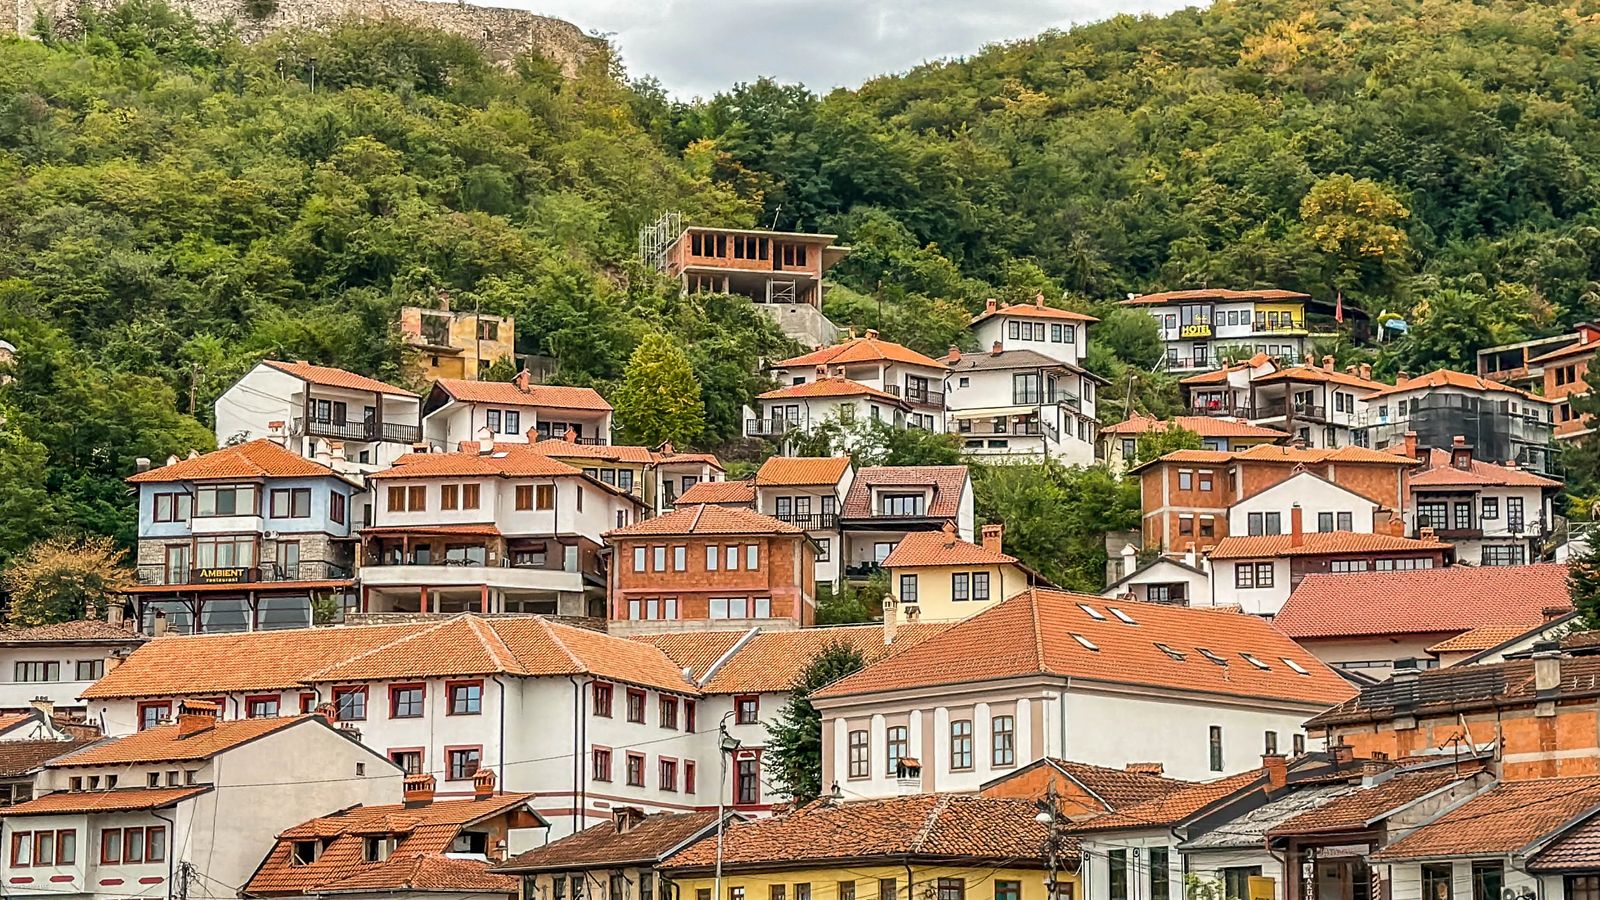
418,862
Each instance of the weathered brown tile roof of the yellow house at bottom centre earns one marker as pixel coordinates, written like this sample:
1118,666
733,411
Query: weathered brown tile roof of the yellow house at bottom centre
943,827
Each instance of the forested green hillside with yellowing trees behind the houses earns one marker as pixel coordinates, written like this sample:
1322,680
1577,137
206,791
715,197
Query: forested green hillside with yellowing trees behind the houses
178,206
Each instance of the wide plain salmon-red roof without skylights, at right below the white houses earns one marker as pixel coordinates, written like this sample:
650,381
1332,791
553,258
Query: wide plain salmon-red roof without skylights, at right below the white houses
1425,601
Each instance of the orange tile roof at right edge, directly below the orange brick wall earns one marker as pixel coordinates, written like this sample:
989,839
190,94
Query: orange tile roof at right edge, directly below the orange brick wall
1500,822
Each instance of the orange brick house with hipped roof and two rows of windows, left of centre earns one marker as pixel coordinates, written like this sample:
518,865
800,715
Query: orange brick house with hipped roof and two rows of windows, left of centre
711,565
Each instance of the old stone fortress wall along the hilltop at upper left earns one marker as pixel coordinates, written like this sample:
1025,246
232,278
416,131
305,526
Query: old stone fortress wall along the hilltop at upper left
503,34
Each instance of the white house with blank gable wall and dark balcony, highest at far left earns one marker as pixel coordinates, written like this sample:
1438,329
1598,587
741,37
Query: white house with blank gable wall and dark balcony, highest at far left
308,404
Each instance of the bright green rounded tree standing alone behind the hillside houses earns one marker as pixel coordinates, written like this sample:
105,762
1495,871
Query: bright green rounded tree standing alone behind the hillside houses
660,400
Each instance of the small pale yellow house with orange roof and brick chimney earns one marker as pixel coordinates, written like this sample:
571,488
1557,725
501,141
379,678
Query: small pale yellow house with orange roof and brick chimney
938,577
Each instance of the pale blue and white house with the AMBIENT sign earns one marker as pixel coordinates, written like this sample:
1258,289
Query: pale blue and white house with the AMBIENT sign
246,539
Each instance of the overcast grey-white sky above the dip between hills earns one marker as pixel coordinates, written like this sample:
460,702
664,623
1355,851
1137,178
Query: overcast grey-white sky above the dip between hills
700,47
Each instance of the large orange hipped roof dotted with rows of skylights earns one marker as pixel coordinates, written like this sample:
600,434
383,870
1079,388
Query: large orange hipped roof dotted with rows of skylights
1036,633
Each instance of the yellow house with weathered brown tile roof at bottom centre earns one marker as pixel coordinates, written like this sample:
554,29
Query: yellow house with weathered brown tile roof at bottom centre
913,848
